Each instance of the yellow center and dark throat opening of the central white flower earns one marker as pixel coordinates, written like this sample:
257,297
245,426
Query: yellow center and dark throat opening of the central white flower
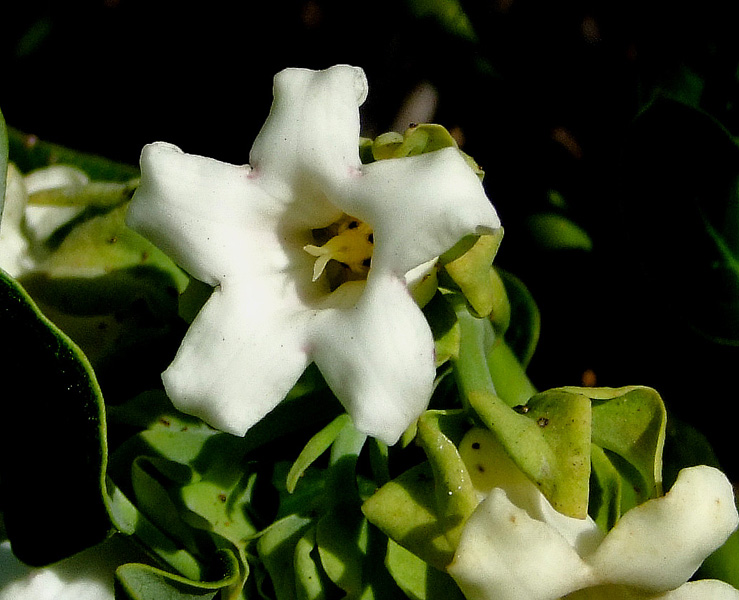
343,251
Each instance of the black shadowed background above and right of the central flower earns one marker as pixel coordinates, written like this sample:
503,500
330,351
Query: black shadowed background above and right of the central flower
546,97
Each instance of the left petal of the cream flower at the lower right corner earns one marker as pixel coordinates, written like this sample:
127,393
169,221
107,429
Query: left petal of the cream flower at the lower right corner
504,554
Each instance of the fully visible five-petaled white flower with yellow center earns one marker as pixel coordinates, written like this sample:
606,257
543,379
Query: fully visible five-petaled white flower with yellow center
256,232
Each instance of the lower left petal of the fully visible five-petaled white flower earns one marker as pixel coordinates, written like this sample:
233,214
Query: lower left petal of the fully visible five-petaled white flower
240,357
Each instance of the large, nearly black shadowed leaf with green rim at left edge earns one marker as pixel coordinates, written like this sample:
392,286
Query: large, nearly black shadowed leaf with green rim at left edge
52,408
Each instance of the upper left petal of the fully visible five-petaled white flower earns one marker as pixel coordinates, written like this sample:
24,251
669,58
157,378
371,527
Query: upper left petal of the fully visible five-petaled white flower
204,213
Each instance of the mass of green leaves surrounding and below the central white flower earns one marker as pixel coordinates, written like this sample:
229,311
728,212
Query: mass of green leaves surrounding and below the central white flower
303,506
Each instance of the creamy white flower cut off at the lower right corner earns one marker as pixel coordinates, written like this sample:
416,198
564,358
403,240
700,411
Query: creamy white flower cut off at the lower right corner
516,546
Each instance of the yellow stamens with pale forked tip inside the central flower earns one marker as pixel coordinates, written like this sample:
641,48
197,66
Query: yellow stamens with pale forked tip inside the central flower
351,246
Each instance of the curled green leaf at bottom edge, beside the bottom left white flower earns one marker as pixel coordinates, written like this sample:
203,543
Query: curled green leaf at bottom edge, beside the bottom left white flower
136,581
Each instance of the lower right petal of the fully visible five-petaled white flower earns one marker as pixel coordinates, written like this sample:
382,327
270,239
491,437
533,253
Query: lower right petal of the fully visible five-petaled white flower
378,358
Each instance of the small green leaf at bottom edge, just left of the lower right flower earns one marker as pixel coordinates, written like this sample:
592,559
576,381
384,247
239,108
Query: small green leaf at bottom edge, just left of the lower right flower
417,578
